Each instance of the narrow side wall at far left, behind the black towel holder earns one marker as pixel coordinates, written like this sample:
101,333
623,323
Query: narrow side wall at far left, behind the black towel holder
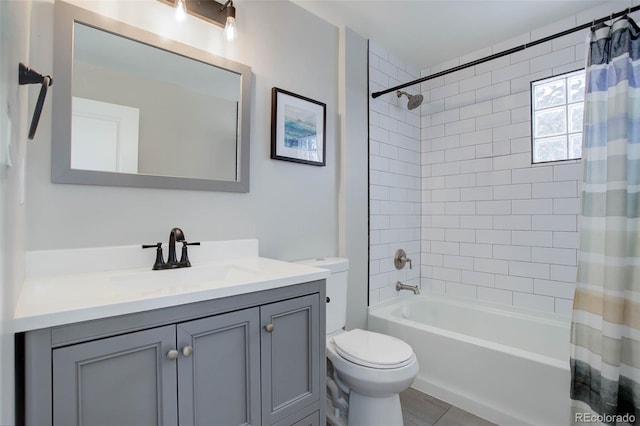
14,122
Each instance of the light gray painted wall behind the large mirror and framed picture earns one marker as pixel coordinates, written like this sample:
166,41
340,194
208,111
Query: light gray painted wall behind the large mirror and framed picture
291,208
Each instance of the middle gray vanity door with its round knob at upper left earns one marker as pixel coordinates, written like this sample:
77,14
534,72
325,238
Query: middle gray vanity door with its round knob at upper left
219,370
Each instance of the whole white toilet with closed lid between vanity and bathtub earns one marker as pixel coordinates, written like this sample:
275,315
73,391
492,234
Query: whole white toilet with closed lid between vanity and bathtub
371,368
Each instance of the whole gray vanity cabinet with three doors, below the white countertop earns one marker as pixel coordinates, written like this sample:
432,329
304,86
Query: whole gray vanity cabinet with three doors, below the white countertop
255,359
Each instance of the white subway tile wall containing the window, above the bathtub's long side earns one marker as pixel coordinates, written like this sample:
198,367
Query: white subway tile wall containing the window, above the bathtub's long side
494,226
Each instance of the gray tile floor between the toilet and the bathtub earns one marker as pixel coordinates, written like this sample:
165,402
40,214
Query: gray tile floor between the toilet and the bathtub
419,409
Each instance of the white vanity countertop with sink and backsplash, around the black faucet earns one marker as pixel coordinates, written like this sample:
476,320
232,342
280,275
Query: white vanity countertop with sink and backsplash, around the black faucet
54,295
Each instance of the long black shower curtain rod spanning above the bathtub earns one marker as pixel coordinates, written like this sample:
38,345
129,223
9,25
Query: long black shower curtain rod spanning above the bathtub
508,52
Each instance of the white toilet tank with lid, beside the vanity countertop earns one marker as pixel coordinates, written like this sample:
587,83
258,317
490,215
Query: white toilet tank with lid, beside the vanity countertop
336,289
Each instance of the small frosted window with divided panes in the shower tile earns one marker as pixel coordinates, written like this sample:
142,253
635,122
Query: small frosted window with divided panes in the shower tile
557,107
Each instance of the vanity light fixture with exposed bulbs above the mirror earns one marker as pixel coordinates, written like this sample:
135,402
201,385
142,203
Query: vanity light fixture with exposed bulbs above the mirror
220,14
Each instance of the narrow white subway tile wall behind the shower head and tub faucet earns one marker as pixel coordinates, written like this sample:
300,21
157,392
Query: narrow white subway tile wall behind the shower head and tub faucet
395,167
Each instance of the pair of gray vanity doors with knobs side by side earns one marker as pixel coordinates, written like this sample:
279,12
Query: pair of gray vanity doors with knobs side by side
136,378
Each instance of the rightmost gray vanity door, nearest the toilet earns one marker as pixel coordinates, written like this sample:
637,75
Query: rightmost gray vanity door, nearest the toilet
290,356
